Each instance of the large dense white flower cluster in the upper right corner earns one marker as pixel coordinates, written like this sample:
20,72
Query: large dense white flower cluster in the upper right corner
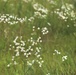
66,12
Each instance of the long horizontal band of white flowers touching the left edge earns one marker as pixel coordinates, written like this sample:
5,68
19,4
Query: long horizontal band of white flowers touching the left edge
11,19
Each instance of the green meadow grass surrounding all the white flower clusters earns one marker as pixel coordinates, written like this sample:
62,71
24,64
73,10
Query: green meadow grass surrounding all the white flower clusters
60,37
